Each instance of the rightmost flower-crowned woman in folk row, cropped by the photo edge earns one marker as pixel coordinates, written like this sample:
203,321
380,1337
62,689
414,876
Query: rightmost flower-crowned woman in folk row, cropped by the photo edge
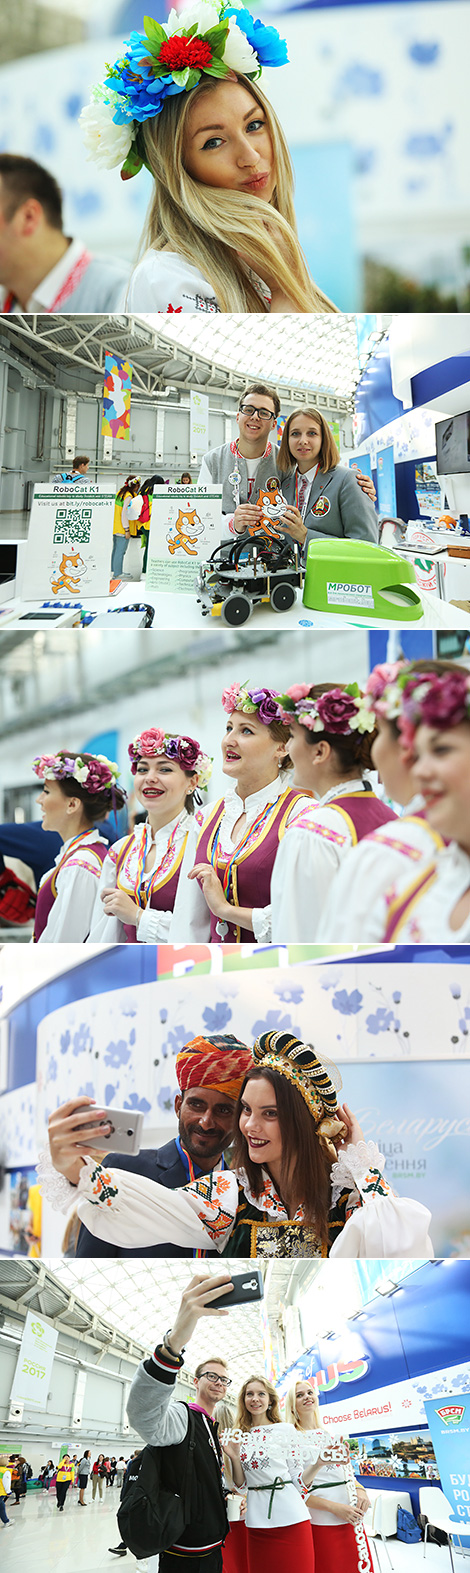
436,726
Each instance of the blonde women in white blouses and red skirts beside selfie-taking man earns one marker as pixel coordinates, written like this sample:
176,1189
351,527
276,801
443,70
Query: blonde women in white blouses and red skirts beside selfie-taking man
304,1506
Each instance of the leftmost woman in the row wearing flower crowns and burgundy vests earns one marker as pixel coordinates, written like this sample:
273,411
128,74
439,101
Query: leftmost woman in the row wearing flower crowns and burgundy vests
78,790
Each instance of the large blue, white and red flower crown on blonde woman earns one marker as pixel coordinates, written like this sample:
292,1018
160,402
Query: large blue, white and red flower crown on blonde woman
210,37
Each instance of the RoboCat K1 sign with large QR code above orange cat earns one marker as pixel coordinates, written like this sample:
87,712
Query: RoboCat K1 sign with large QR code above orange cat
70,543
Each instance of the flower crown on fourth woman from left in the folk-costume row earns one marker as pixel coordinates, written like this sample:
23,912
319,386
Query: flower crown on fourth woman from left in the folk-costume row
339,712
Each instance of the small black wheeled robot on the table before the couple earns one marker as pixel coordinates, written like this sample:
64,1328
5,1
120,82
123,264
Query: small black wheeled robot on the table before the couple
255,569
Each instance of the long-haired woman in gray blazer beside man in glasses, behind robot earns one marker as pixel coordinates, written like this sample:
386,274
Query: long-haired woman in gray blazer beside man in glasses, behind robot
323,498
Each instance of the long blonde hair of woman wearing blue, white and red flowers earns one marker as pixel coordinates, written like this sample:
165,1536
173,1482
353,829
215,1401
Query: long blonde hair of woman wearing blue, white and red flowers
210,226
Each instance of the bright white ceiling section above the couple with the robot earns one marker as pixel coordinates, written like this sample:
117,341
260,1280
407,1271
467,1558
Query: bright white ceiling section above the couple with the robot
303,352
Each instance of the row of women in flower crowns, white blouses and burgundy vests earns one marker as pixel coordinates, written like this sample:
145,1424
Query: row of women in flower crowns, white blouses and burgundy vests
277,858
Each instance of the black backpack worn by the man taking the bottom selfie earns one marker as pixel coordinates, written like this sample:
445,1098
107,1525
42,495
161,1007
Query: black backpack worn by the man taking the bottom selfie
152,1517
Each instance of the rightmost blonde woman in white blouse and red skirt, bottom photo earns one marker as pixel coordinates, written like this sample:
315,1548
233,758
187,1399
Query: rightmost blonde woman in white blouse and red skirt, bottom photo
337,1505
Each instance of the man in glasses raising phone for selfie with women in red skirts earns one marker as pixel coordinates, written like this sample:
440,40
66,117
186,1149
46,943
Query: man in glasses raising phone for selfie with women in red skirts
166,1424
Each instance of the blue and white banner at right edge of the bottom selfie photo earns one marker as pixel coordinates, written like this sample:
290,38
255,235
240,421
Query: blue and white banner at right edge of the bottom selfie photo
449,1423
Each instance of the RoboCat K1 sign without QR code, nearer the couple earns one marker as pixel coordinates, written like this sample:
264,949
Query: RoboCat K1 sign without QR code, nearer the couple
186,526
